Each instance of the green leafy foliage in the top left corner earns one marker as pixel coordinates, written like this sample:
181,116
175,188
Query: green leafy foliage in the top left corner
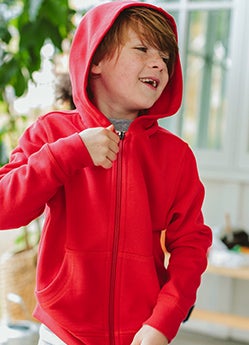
24,28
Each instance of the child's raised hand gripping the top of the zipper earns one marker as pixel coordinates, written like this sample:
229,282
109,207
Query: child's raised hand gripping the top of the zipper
102,145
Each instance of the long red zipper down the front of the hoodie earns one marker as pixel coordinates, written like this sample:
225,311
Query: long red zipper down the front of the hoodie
116,238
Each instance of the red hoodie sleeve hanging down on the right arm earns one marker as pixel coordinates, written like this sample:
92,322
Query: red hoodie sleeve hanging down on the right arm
187,241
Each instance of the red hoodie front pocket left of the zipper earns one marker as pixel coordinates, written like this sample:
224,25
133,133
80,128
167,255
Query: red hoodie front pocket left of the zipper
77,292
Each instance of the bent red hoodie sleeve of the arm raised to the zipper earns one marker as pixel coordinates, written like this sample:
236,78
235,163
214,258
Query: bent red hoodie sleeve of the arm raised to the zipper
36,170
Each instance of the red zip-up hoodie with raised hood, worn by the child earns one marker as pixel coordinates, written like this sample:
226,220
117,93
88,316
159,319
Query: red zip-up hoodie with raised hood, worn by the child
101,272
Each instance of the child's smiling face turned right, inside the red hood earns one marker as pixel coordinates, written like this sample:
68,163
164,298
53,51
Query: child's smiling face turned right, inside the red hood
131,80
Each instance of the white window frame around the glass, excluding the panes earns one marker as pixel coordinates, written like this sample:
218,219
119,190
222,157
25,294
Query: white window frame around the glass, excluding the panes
232,160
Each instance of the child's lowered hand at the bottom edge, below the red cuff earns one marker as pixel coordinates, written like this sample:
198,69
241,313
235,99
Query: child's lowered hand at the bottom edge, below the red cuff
148,335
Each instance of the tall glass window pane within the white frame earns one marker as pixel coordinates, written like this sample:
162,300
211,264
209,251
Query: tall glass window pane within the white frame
206,68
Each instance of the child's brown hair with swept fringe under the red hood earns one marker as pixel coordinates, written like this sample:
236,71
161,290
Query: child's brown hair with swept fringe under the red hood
152,27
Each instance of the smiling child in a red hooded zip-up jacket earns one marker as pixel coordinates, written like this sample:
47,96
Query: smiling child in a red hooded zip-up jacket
110,181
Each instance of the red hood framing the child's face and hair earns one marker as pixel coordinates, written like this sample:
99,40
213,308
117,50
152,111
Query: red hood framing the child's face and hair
90,32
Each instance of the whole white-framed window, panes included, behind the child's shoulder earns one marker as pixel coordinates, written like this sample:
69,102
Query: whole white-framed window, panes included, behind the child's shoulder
214,117
